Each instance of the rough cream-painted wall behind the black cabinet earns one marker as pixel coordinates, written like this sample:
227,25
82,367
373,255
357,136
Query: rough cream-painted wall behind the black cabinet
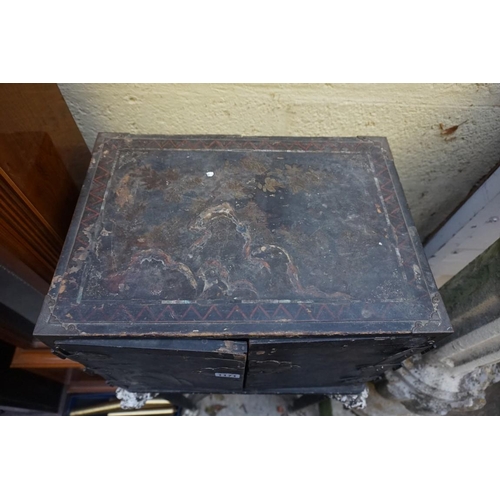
437,164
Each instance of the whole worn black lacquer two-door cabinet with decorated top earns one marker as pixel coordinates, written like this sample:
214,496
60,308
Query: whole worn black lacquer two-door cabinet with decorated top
241,264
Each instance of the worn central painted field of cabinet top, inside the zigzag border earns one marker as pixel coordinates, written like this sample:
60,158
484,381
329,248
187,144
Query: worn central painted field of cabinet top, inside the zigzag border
260,226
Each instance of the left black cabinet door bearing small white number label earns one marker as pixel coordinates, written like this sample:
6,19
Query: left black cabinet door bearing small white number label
164,365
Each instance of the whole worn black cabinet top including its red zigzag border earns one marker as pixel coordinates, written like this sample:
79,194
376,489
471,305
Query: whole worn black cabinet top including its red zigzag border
242,236
